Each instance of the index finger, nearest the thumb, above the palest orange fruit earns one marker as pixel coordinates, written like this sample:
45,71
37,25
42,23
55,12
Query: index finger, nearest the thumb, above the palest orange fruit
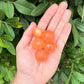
44,21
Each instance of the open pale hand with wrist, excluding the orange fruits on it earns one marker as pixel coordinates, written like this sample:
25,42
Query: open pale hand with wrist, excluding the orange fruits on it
29,70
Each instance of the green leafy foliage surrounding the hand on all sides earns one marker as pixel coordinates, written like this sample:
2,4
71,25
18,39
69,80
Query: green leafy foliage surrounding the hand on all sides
15,17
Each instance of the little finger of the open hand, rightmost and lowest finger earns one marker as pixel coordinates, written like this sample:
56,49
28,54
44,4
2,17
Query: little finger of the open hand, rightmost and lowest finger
63,37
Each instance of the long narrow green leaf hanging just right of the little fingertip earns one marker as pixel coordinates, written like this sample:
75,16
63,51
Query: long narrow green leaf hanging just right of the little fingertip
75,35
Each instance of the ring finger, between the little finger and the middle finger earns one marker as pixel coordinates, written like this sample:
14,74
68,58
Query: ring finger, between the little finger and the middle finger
65,18
